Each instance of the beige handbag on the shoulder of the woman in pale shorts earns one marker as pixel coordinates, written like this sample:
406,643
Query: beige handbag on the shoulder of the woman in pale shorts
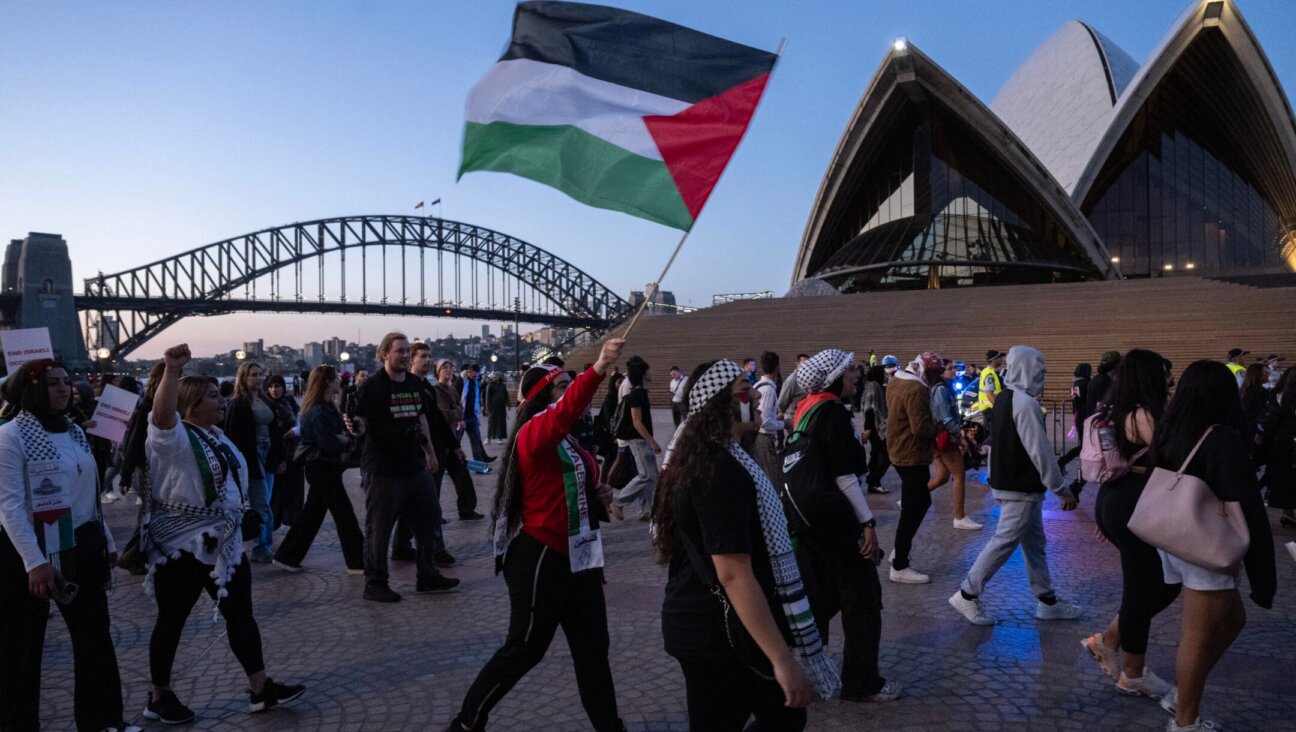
1181,516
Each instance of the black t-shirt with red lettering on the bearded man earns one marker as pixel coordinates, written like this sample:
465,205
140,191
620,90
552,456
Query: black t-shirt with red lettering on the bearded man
393,445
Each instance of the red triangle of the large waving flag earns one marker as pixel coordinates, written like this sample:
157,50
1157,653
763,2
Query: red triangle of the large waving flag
698,143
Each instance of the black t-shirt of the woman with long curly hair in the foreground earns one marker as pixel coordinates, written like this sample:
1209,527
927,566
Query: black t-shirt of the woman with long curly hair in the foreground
717,512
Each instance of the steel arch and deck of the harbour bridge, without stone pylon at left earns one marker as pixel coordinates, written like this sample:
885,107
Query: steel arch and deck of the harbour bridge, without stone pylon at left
200,282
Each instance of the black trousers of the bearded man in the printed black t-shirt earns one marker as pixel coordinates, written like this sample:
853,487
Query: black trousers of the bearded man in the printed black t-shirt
388,499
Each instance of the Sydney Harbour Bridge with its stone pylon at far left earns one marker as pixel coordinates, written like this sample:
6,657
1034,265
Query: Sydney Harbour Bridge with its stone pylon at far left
375,265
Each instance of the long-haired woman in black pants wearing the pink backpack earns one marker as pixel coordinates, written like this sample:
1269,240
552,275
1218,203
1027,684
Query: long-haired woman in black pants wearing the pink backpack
1136,405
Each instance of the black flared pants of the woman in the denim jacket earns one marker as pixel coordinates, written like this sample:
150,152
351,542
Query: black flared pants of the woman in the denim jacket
327,494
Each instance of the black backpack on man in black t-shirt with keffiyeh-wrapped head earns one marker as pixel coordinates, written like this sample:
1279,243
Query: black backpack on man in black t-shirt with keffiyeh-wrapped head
808,490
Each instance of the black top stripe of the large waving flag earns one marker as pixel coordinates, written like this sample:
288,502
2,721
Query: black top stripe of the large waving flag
633,50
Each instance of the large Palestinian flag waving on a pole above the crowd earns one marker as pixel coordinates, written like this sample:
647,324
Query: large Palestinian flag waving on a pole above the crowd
616,109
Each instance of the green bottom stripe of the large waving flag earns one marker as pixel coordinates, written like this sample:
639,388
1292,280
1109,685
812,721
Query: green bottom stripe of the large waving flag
588,169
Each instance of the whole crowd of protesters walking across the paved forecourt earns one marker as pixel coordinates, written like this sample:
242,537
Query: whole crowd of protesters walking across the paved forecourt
758,505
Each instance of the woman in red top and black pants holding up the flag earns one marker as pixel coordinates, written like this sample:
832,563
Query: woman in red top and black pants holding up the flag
551,556
